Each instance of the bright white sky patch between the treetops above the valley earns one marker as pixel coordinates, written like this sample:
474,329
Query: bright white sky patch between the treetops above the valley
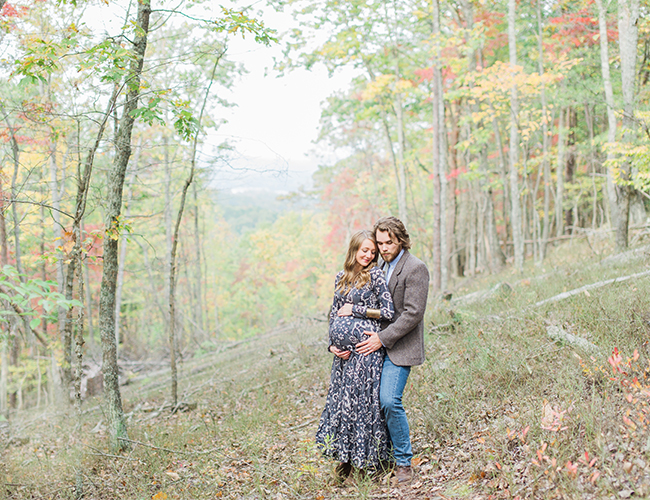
276,118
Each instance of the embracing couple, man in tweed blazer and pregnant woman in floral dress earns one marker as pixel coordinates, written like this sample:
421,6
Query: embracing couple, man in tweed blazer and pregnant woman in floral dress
376,333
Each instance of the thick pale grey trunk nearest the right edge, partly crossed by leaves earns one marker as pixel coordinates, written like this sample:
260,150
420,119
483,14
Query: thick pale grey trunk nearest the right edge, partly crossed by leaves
628,16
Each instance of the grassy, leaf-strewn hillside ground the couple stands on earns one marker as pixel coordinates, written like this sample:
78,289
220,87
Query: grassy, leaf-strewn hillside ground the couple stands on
499,410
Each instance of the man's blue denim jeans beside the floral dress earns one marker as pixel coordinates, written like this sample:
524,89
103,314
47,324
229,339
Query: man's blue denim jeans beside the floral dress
393,381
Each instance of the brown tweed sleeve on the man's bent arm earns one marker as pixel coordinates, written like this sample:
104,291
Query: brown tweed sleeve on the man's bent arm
416,290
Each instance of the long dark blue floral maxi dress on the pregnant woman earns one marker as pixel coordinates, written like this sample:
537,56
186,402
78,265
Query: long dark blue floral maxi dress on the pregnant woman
352,427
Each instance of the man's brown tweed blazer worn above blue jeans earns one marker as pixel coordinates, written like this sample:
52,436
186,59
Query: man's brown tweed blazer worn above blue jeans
403,338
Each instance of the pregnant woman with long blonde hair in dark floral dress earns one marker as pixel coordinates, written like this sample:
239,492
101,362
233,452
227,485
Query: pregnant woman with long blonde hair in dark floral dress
352,428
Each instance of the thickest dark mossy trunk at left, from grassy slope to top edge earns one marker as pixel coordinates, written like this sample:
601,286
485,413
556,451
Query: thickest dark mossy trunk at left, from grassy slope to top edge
114,410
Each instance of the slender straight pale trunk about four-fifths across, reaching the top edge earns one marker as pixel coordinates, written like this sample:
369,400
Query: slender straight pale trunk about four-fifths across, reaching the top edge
517,236
